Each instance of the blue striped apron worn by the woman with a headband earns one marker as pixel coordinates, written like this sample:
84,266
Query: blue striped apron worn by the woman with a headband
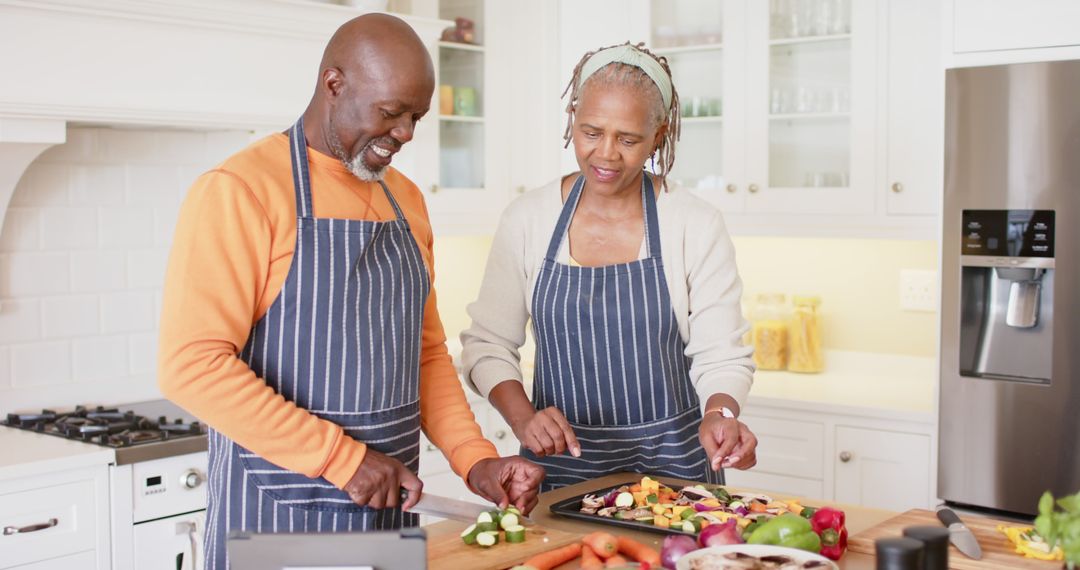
610,356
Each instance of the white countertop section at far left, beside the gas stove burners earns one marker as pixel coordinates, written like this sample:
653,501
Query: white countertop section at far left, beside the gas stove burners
28,454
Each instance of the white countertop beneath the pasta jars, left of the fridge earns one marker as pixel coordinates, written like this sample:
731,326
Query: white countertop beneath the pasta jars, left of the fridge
856,383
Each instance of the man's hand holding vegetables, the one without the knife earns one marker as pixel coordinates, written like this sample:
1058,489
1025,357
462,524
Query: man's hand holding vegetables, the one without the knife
507,481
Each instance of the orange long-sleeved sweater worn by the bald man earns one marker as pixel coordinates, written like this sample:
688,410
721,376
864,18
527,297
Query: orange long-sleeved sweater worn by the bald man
233,251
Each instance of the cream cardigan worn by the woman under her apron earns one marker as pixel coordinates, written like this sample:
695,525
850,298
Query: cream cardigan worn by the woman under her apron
699,264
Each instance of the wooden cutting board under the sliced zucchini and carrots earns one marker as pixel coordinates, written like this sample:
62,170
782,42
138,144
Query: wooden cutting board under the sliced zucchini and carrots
448,551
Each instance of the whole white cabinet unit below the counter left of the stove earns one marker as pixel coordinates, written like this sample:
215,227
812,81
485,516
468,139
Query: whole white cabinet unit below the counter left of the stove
56,519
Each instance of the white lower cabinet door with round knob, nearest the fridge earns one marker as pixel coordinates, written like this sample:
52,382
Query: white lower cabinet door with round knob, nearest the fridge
882,469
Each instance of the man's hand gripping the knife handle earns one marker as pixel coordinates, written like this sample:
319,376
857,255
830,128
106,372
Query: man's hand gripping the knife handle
379,483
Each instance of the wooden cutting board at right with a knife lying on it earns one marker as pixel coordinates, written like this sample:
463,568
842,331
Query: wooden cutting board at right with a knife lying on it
998,552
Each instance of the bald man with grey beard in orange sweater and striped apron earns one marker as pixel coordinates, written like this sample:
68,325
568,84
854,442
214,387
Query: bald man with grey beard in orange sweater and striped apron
300,320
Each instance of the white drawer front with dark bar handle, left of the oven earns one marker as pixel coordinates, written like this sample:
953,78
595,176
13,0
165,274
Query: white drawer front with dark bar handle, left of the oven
67,514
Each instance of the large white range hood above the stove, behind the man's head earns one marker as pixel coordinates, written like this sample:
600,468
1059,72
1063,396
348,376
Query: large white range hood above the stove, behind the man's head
187,64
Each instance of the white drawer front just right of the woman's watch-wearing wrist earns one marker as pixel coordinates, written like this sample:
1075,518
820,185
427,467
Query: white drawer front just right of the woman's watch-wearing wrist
787,447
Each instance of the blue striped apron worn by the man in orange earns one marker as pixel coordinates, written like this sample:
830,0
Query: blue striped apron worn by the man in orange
343,342
